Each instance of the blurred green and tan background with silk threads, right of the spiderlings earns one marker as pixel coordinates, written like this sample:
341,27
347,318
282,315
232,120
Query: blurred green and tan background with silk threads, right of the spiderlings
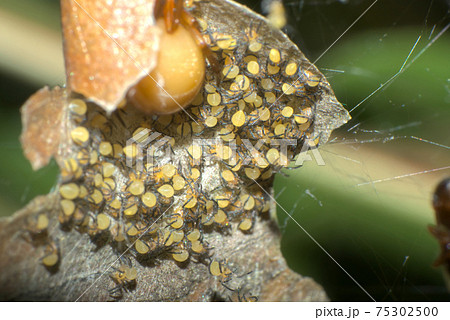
373,196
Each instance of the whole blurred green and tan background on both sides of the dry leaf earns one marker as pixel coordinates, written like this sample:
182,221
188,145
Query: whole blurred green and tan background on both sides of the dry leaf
364,206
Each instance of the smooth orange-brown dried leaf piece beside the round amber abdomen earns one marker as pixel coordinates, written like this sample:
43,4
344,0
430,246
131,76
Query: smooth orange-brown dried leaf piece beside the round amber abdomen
108,47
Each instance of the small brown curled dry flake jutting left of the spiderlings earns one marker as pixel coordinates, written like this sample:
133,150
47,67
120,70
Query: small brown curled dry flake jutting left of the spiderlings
42,121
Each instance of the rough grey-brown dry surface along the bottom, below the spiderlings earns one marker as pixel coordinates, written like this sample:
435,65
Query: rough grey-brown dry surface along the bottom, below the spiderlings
83,272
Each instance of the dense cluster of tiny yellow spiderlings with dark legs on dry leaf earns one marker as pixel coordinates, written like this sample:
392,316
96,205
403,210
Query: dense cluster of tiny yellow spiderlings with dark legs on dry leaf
159,184
